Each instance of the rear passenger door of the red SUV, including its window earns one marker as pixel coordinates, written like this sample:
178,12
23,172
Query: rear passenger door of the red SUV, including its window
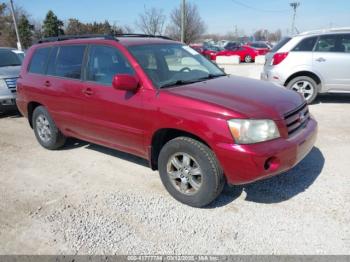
63,87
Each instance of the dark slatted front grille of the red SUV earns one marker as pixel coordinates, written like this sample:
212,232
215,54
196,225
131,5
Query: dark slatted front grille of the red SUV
297,119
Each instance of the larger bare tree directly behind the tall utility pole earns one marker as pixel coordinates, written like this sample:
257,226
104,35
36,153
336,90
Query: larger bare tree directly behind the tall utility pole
194,25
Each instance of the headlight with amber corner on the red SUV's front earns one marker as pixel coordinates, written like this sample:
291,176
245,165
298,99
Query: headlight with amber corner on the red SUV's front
246,131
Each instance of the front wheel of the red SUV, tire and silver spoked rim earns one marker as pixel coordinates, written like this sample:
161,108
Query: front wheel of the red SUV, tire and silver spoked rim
190,188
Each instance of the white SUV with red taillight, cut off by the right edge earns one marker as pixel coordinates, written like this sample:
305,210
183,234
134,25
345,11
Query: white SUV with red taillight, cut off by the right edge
311,63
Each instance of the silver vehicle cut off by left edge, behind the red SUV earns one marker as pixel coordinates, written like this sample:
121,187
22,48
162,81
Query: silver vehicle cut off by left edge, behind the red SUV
10,64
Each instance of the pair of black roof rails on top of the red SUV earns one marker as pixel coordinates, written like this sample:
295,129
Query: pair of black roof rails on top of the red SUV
103,36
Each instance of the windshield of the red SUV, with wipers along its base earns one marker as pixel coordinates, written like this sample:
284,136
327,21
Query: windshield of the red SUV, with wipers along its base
174,64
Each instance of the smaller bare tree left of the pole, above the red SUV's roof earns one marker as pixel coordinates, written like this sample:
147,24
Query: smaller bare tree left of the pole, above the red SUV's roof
151,21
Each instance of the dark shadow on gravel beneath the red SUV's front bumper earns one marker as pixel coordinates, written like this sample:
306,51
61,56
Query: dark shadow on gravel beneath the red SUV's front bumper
279,188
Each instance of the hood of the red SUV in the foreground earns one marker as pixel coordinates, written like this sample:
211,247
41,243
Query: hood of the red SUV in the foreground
247,97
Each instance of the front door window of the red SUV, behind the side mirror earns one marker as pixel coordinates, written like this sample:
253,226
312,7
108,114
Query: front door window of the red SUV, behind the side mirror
104,63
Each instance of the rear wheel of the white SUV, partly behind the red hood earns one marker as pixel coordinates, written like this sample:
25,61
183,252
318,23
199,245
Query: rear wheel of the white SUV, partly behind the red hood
306,86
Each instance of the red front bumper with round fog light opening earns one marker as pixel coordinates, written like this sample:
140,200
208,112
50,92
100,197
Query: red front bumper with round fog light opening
244,164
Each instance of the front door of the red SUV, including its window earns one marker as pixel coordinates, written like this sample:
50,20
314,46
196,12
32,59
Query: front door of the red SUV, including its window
114,117
